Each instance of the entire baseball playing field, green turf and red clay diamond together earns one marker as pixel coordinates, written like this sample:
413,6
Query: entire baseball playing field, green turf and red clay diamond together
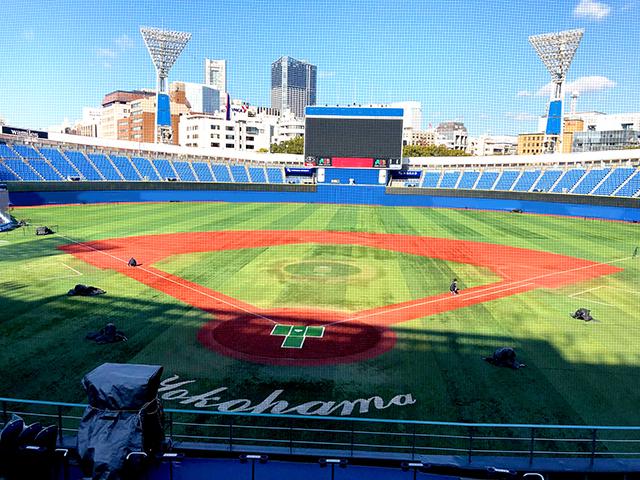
247,305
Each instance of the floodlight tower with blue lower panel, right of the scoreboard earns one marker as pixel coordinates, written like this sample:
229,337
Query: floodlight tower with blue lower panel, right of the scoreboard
556,50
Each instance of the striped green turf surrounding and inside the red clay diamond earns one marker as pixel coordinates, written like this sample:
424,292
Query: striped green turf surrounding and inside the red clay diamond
577,372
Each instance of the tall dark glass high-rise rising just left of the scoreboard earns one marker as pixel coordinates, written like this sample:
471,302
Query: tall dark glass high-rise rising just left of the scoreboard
293,85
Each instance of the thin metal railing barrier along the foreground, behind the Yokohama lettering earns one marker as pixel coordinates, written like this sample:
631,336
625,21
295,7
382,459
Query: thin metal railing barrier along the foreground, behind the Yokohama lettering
360,437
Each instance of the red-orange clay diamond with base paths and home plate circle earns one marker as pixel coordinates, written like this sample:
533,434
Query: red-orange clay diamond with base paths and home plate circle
242,331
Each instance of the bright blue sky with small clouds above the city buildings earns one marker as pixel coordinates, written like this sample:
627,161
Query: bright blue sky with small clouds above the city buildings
463,60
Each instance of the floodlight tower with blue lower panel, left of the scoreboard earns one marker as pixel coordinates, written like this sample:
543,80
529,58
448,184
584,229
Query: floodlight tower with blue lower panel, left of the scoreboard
164,47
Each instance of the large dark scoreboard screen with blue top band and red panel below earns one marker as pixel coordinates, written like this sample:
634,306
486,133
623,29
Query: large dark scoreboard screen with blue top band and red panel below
353,137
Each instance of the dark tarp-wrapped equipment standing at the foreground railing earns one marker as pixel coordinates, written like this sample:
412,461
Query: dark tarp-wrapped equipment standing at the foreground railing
124,416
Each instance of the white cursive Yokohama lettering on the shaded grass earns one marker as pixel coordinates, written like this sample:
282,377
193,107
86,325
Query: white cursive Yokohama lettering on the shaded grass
172,389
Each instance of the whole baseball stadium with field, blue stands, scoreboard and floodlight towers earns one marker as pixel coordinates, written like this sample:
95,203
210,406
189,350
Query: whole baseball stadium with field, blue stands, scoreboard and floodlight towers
411,317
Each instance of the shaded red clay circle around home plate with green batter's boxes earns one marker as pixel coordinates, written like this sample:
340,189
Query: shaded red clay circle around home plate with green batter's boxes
296,338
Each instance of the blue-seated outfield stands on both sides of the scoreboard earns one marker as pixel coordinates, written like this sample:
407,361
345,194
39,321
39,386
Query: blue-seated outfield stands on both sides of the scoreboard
612,173
